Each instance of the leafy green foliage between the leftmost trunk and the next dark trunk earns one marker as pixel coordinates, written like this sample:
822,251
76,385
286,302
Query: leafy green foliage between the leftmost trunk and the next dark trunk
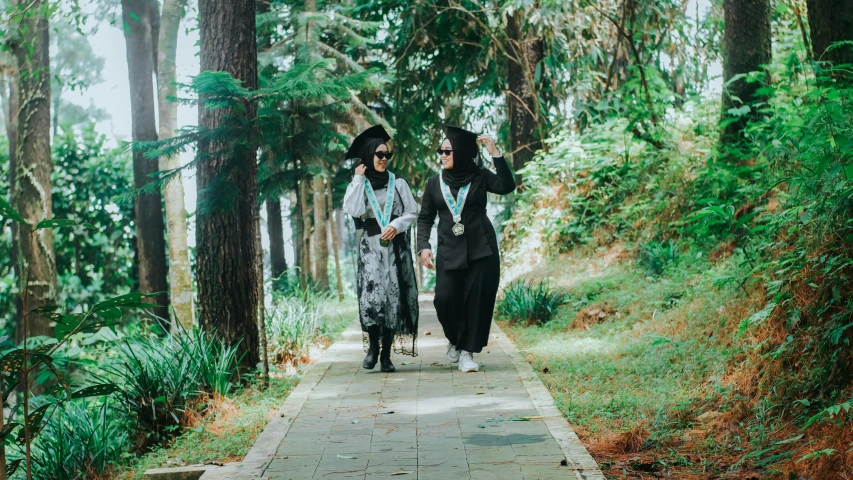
86,180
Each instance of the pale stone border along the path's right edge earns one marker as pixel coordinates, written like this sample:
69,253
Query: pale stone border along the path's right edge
578,457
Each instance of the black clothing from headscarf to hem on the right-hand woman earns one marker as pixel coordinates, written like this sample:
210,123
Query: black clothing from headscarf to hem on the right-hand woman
467,266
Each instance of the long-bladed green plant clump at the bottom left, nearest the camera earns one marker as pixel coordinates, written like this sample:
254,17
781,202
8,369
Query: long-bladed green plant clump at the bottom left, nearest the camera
79,441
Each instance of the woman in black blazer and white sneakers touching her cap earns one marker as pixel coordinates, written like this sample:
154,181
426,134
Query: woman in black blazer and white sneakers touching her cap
467,261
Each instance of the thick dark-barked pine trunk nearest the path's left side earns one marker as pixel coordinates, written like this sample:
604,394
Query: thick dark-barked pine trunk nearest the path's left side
229,273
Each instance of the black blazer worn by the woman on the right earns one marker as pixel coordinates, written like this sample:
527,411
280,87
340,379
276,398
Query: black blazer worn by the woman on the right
479,239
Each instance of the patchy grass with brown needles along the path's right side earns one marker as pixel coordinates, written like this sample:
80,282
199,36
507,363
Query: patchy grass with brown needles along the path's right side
632,361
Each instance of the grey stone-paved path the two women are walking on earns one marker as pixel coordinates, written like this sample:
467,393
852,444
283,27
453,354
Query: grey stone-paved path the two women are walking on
426,421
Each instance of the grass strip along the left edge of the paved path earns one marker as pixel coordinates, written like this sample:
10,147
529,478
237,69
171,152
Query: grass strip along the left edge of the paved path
234,422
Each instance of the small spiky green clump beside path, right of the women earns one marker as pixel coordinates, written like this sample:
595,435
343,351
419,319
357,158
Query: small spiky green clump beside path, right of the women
524,300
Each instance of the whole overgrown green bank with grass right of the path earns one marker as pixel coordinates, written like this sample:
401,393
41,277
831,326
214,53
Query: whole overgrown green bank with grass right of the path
705,322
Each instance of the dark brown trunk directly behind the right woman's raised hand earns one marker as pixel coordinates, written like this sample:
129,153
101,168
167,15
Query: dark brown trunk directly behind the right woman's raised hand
522,99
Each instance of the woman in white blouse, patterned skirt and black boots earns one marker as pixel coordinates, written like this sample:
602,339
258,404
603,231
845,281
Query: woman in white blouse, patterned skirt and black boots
384,209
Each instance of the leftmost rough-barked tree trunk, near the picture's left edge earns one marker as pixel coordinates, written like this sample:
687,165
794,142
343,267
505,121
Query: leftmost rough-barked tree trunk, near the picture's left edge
32,192
